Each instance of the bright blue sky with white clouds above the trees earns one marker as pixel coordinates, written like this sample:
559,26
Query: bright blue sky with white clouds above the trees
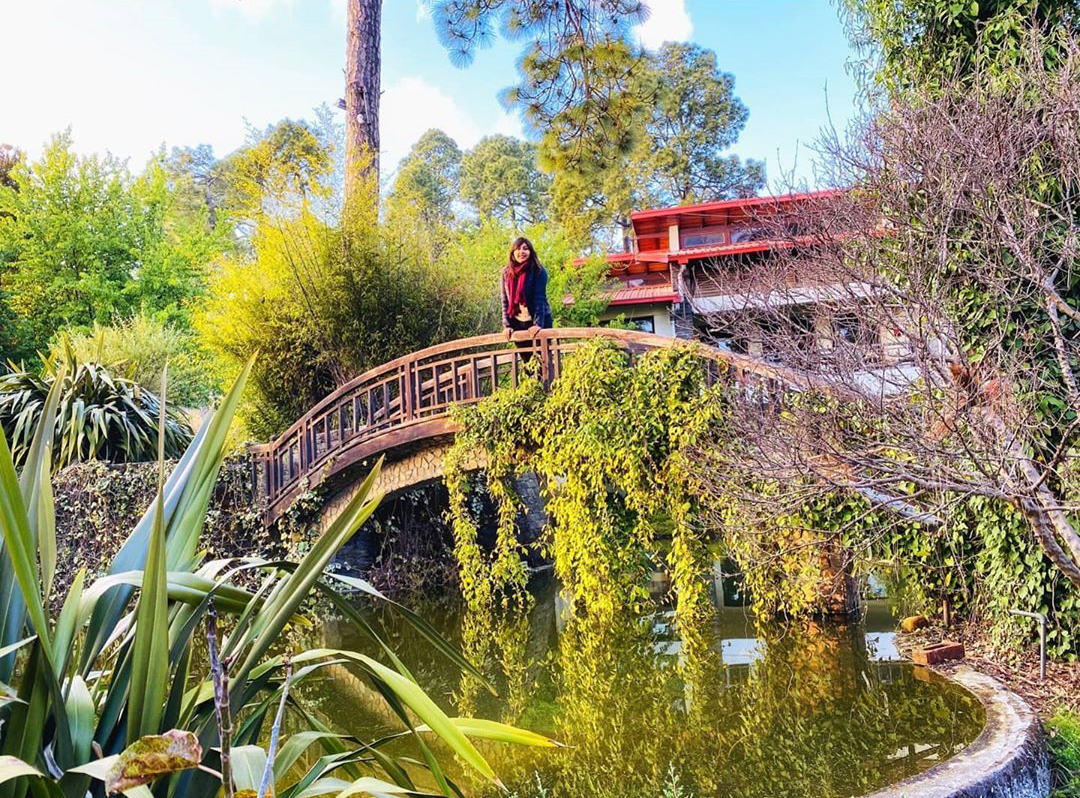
132,75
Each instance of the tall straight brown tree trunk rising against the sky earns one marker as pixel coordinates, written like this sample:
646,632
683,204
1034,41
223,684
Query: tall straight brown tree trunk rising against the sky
362,103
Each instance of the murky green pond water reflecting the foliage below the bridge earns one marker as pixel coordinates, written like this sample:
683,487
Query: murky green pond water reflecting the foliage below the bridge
815,710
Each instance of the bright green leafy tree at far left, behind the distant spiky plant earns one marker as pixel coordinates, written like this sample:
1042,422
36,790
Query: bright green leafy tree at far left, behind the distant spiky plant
83,240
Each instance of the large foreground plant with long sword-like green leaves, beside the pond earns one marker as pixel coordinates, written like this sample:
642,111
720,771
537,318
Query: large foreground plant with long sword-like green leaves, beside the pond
109,698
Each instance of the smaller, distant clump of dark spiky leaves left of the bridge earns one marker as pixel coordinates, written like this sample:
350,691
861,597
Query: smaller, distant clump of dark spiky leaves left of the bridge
100,415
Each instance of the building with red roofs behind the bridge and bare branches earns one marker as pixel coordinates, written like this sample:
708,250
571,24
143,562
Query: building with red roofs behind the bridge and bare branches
695,270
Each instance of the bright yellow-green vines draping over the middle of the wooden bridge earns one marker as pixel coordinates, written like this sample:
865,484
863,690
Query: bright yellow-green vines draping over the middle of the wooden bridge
611,443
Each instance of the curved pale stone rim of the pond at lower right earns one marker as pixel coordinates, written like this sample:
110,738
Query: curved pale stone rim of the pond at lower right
1008,760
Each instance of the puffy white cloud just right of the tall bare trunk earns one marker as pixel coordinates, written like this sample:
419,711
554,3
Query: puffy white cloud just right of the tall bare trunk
412,106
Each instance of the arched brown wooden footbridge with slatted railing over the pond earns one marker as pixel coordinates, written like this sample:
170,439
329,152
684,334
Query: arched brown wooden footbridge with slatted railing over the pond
403,407
